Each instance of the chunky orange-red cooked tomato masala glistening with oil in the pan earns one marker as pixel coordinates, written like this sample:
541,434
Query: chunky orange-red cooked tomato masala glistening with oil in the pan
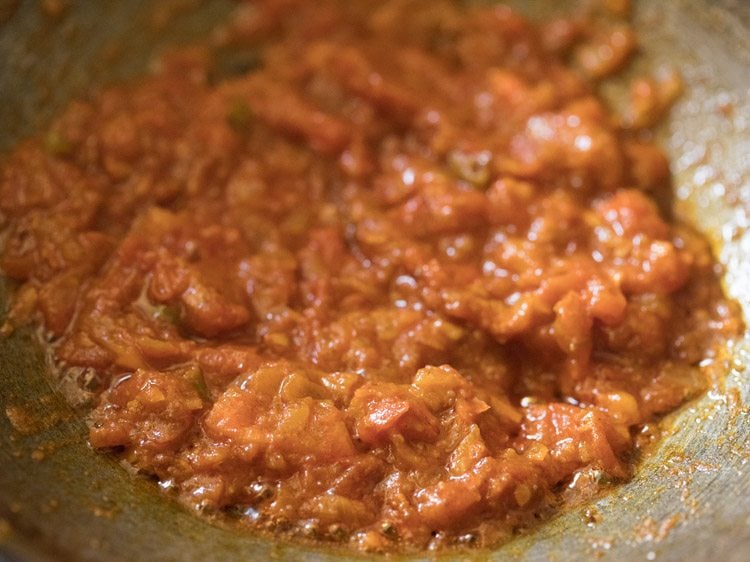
392,279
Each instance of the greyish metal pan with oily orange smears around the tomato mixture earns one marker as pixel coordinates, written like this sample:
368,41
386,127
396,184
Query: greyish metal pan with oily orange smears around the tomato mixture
689,500
